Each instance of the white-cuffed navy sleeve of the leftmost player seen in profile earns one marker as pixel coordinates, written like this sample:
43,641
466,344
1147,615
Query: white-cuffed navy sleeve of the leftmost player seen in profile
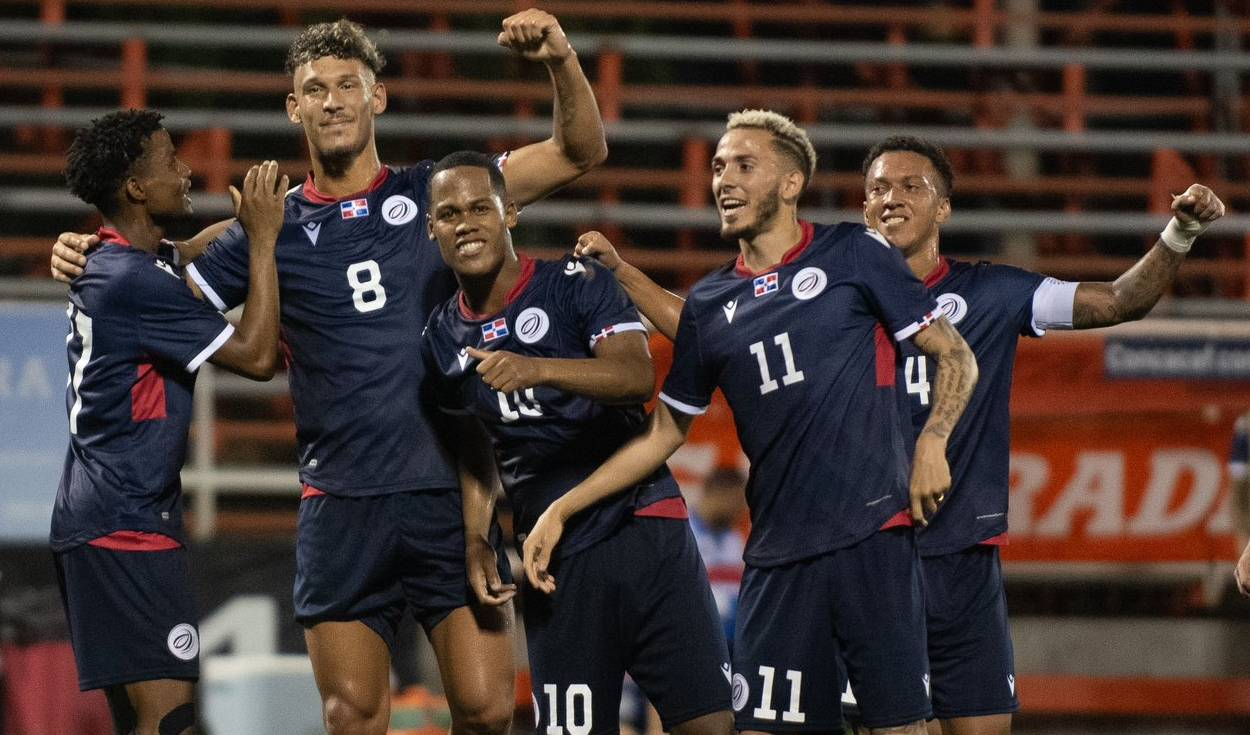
173,323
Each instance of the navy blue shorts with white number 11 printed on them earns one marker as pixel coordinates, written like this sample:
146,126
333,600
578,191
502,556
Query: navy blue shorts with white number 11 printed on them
808,627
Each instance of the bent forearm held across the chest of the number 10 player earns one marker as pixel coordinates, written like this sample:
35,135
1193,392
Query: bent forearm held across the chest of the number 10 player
621,372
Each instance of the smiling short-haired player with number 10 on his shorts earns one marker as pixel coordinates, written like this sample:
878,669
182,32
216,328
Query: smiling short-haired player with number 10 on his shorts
547,366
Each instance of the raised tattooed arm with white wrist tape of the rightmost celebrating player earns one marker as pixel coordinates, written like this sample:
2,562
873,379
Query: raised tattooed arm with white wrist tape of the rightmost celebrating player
1136,293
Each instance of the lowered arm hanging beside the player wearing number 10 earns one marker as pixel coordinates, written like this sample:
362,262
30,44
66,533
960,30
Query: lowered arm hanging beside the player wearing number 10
479,483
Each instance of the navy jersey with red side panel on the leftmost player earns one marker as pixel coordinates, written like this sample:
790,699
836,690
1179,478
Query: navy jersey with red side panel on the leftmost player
138,336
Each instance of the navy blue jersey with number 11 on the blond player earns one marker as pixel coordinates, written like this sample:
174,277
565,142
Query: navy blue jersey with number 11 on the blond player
806,357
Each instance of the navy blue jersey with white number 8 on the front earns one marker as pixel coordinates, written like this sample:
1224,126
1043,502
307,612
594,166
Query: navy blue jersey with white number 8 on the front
358,278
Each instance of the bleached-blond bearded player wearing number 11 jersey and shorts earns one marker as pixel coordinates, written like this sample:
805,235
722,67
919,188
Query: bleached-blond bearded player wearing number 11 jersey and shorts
801,334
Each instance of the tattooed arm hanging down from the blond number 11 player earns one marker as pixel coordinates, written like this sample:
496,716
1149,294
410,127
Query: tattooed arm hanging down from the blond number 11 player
957,378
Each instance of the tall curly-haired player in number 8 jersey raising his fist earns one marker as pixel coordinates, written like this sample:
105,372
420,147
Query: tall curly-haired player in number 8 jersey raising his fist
357,273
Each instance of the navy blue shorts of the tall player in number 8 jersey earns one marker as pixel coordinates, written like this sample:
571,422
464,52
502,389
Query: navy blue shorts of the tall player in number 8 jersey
371,558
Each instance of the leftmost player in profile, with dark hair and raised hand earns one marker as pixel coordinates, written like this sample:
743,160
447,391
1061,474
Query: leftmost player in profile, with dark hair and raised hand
137,338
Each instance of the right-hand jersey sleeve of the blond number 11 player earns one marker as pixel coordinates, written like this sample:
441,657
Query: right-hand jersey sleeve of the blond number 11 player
897,296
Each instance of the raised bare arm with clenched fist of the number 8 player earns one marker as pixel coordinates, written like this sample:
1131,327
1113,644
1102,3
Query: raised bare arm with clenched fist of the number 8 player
577,142
